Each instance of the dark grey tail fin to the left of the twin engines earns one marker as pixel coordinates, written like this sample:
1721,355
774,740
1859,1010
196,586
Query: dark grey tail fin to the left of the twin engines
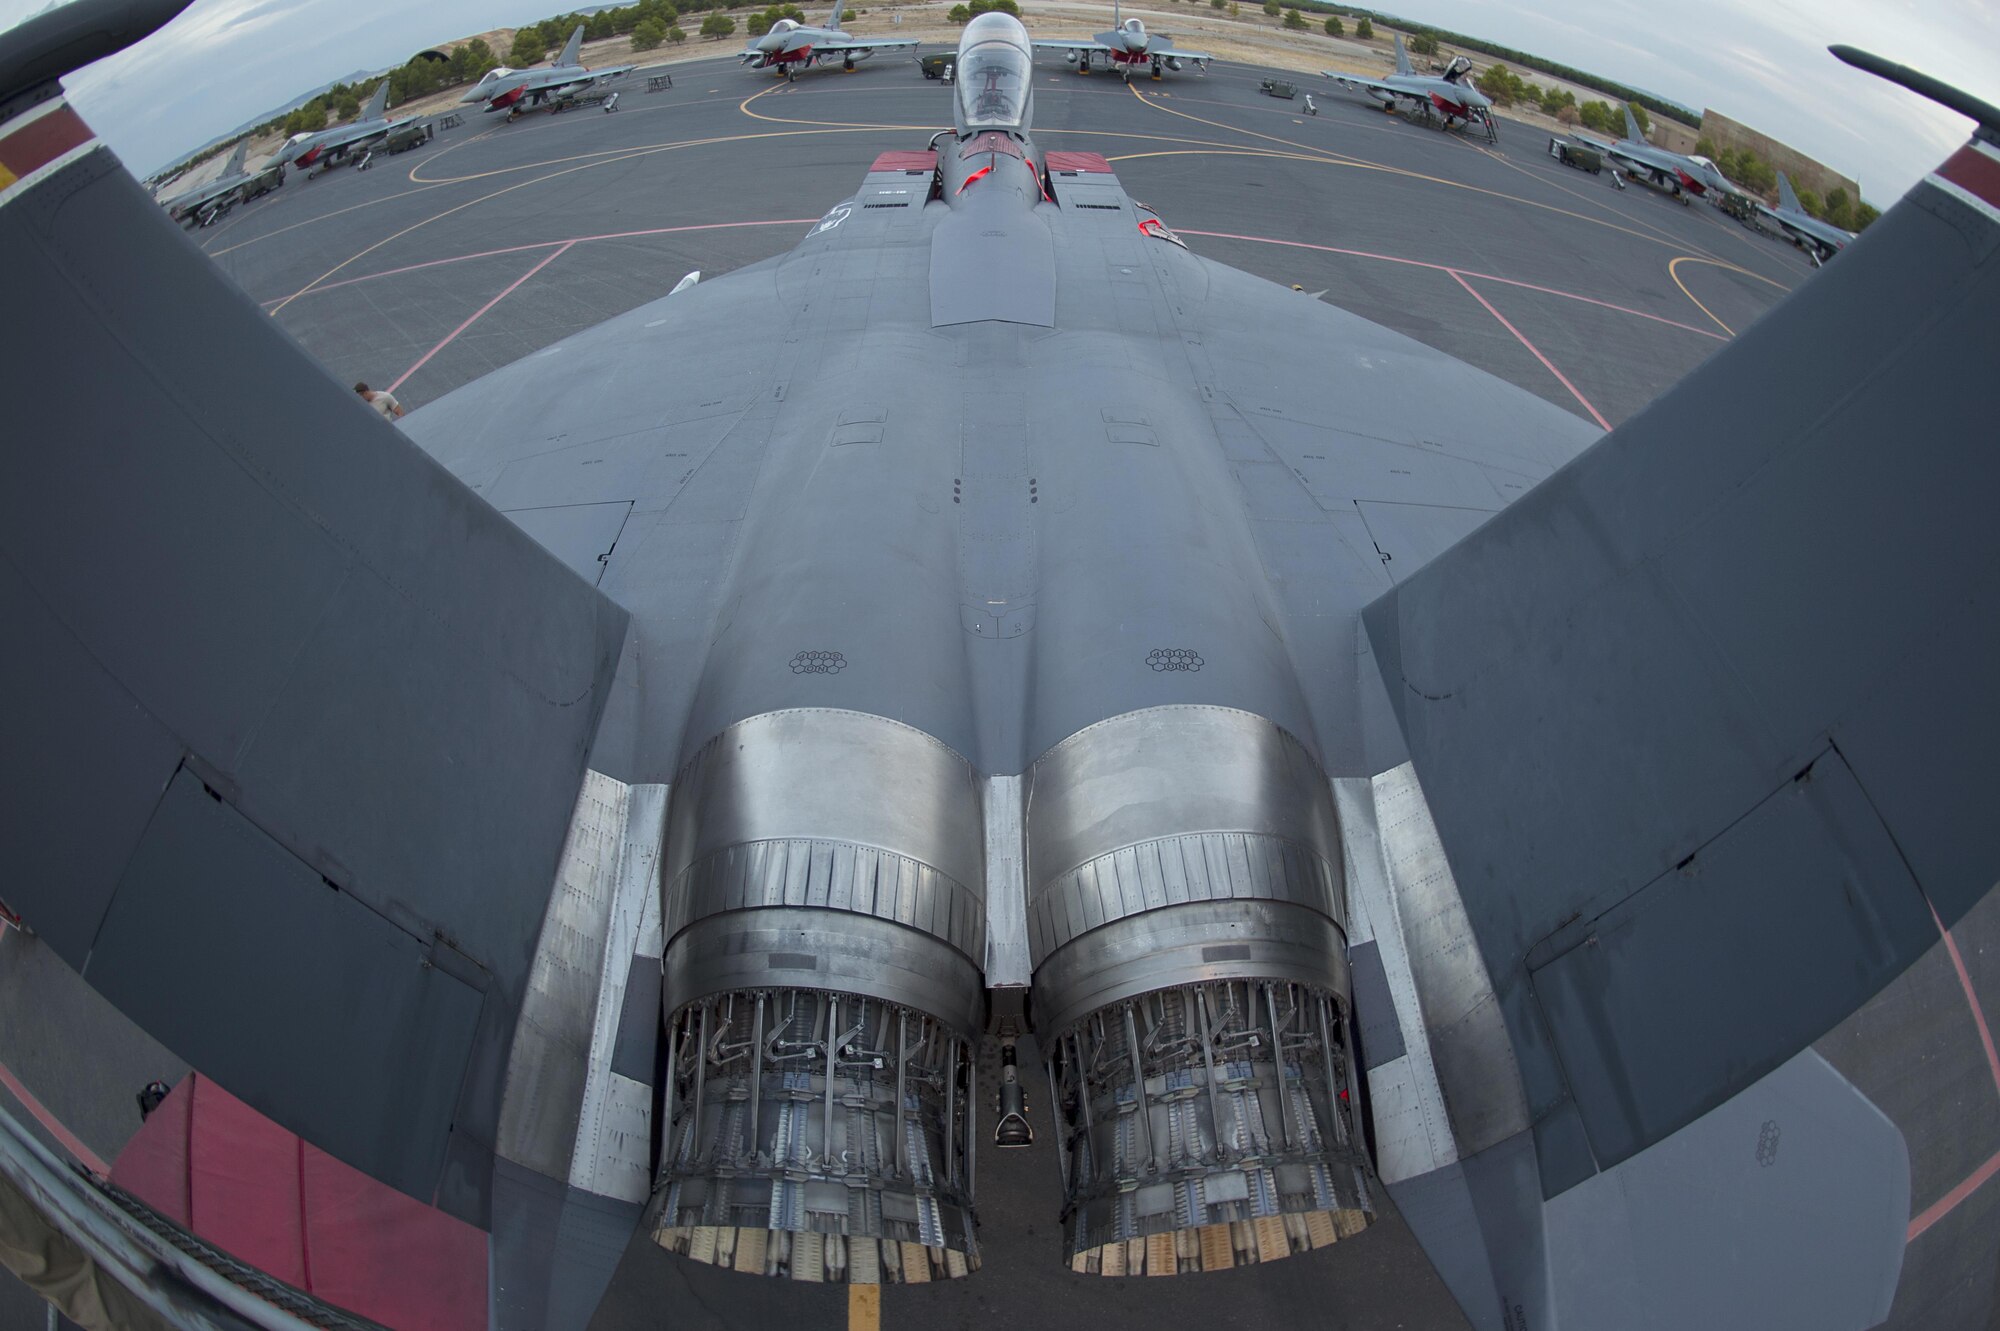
311,714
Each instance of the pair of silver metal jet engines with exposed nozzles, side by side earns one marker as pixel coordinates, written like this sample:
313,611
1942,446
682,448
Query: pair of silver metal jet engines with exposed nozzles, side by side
825,990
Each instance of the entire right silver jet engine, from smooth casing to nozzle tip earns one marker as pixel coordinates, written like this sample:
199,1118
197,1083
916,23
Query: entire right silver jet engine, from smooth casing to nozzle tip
1189,928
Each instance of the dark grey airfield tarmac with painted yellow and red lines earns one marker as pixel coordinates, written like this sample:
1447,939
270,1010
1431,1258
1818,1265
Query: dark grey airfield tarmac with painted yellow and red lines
497,241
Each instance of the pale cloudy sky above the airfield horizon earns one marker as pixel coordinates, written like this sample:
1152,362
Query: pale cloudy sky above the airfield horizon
1759,61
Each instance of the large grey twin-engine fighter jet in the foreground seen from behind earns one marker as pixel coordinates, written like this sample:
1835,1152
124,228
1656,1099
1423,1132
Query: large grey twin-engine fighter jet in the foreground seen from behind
1357,772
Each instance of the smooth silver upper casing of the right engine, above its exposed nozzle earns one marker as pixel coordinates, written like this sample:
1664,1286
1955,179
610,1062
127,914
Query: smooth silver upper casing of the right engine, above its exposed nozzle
1173,846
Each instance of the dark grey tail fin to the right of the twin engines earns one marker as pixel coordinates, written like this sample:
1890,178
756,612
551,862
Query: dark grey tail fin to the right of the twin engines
1807,706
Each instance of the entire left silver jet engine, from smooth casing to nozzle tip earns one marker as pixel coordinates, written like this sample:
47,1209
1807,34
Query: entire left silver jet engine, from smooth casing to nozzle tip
825,920
